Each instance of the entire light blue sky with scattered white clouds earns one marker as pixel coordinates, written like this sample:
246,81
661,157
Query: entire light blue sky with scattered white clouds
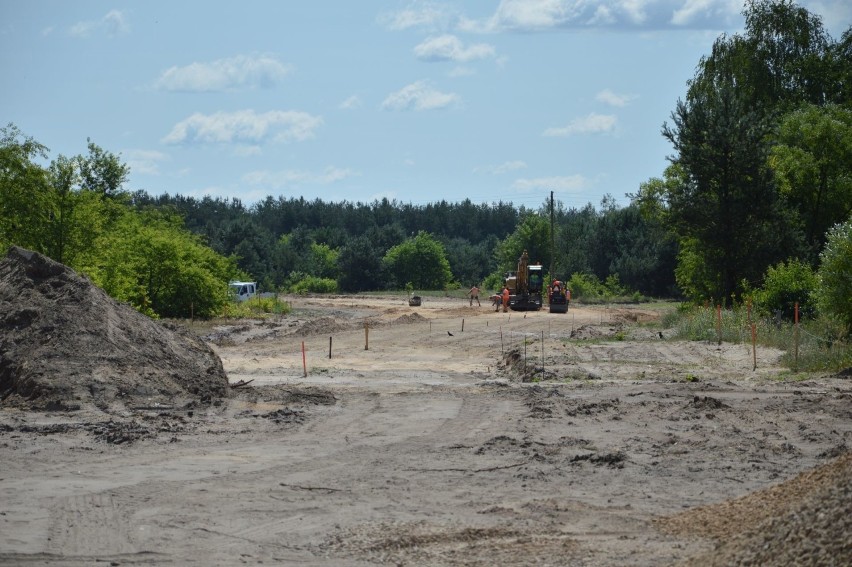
363,100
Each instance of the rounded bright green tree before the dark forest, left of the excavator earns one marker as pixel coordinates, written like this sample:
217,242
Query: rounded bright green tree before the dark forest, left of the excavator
420,260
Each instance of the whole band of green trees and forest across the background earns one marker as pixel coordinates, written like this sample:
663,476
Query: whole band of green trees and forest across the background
755,203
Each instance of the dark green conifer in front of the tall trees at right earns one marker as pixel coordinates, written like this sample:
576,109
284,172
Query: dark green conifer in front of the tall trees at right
727,208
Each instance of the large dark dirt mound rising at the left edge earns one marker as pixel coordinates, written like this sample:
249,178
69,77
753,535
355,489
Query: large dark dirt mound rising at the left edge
65,343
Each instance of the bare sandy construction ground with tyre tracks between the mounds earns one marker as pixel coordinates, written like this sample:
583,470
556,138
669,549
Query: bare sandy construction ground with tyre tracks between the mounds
435,435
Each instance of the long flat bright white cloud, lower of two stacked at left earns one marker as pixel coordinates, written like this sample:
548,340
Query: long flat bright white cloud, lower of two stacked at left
244,126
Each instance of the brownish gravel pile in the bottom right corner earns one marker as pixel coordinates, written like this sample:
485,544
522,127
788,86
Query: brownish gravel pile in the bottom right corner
804,521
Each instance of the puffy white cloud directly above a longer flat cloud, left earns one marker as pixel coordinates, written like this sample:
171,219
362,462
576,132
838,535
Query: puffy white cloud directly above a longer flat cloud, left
224,74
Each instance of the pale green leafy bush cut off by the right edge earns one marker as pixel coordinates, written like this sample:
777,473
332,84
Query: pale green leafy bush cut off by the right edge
834,284
